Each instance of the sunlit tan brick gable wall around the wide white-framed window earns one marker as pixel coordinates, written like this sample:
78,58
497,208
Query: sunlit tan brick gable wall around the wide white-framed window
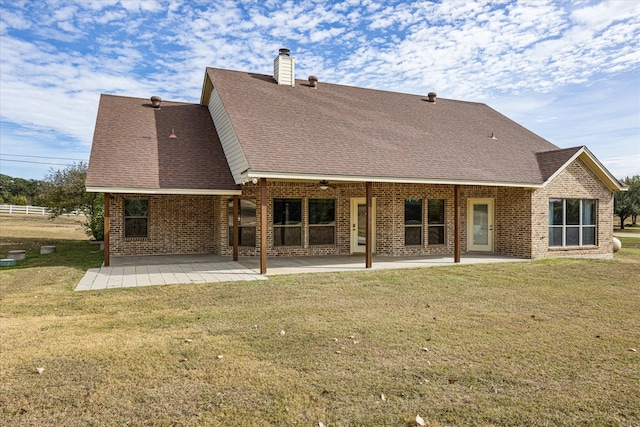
575,182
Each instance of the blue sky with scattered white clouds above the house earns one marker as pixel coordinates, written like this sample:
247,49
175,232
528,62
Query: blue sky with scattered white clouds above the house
568,71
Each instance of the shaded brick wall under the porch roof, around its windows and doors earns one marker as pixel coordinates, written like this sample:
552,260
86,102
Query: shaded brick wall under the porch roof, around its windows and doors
512,217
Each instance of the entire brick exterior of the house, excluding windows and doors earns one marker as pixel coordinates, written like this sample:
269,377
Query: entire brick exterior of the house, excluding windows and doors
199,224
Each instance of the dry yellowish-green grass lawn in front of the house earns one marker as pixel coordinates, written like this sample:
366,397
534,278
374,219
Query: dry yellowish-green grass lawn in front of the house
538,343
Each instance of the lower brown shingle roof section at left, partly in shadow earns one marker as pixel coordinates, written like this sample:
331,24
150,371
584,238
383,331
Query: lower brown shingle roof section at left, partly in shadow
132,149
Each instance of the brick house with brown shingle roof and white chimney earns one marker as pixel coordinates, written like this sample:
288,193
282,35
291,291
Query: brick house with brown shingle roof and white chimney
276,166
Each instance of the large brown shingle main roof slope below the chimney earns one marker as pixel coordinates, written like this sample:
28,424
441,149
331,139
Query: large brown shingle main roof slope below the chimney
348,131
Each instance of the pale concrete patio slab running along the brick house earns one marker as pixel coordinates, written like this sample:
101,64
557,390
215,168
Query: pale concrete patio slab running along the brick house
153,270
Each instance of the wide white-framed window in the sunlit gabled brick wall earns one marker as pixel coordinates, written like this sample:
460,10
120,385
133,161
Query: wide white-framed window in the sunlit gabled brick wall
572,222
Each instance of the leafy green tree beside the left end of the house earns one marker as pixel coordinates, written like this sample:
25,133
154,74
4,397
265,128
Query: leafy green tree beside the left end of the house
64,192
